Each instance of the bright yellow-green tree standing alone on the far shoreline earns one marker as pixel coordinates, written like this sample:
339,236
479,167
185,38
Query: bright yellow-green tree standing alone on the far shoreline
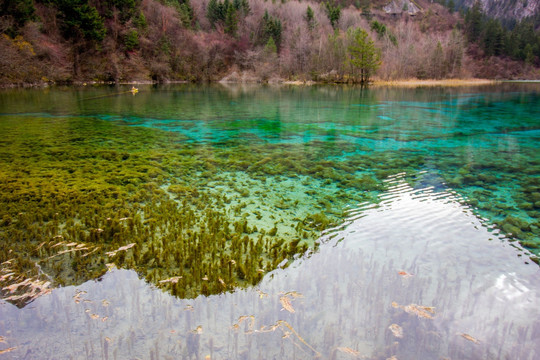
364,57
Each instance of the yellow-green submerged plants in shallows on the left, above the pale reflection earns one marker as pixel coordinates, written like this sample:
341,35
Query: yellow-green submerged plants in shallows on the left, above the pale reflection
73,203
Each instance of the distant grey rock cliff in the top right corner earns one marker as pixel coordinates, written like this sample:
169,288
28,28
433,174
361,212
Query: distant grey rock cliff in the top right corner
507,9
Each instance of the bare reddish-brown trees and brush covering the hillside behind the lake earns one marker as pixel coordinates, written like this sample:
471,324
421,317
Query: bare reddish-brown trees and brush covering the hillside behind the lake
425,46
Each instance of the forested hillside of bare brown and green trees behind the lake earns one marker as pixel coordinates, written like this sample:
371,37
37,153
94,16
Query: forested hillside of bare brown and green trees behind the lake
257,40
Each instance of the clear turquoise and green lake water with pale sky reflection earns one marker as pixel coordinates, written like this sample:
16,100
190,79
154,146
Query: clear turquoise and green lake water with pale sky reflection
391,197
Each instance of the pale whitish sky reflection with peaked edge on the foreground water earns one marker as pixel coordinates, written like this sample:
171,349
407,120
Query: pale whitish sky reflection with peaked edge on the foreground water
416,276
